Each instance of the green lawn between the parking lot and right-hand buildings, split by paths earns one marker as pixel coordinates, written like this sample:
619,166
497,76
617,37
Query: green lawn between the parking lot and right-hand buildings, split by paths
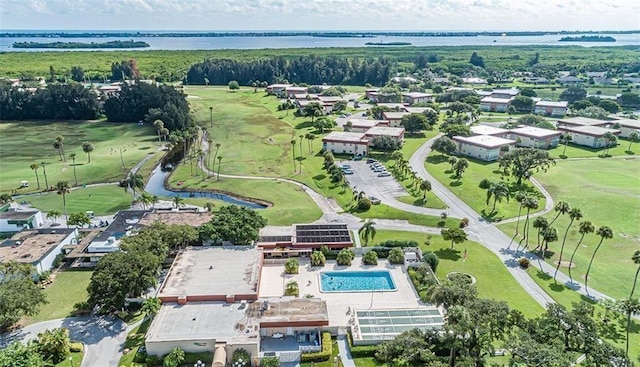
467,187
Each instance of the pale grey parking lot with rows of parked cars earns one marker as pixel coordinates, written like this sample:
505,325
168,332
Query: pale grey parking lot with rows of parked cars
365,179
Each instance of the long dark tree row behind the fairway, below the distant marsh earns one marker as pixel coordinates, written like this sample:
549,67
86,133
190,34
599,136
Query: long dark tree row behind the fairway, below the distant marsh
309,69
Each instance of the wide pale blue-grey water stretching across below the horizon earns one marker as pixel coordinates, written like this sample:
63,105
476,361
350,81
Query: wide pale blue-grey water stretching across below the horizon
247,43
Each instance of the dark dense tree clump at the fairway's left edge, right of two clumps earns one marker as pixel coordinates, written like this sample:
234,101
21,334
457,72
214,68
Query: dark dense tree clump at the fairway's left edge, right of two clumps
149,102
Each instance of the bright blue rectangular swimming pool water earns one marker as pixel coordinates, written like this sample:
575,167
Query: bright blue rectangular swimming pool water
356,281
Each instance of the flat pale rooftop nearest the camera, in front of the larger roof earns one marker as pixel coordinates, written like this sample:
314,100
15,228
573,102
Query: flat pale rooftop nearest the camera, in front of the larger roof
221,321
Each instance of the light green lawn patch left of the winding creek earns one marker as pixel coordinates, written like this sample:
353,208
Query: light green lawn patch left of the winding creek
103,200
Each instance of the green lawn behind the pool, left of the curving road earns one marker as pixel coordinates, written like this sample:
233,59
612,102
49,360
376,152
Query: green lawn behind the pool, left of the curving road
494,281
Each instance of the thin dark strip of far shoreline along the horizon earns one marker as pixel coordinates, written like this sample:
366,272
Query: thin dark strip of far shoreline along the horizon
337,34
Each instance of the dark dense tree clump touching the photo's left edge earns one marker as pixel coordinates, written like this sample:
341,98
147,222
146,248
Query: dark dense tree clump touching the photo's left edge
55,102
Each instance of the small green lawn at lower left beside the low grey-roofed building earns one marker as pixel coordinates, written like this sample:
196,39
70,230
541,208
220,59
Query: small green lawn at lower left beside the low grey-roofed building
68,288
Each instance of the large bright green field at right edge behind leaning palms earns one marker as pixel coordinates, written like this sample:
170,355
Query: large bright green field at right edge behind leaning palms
607,192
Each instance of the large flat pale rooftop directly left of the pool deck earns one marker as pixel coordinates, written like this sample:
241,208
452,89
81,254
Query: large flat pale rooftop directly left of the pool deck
214,270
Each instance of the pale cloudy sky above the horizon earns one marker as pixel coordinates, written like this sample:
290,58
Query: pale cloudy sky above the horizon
498,15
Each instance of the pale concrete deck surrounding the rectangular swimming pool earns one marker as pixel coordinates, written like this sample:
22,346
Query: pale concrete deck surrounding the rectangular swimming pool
274,279
